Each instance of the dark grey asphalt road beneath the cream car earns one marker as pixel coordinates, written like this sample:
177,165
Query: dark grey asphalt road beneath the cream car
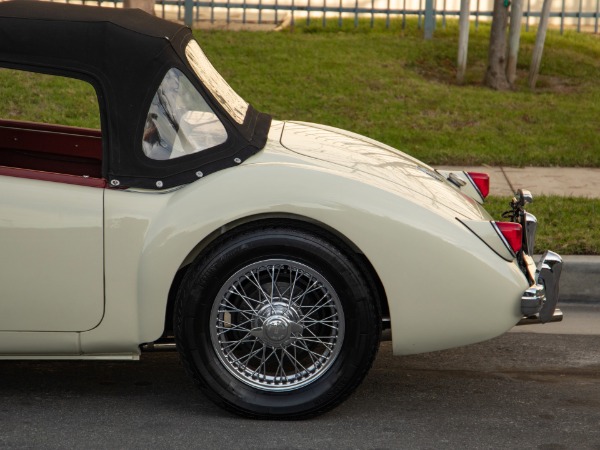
521,390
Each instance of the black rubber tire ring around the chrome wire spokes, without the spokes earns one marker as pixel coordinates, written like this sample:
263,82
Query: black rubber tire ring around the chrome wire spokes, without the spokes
199,292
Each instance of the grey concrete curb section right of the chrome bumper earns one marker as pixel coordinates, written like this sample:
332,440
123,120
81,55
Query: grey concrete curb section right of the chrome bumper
580,280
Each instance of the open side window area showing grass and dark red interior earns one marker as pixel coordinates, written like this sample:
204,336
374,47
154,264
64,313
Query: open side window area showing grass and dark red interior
49,124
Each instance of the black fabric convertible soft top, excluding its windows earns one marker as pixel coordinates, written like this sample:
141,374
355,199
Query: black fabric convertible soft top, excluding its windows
124,54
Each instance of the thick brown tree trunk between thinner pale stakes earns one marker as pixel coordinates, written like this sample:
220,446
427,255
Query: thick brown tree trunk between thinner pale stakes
495,76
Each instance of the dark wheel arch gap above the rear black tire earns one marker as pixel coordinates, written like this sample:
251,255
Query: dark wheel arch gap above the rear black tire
290,220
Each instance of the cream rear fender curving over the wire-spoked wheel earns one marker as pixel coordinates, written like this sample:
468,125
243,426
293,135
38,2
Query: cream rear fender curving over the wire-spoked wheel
150,235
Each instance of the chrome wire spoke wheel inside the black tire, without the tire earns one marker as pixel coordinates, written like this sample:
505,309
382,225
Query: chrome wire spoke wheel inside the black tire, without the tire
277,325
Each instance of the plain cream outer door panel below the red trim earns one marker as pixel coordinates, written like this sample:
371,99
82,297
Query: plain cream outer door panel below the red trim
52,276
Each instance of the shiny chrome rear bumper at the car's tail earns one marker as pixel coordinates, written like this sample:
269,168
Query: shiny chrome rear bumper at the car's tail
538,303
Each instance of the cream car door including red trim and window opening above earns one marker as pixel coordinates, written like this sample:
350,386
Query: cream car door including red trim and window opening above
51,205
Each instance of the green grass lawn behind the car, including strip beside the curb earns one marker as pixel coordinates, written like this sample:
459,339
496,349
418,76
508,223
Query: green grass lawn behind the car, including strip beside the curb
396,87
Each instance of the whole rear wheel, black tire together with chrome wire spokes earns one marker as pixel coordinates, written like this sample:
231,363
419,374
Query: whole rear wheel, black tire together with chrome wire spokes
259,354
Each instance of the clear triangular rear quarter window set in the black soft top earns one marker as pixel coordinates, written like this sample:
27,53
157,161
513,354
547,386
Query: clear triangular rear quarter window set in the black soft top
179,121
